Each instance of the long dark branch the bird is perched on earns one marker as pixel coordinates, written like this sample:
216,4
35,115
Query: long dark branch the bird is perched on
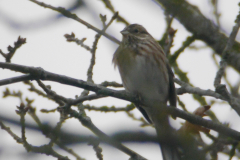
38,73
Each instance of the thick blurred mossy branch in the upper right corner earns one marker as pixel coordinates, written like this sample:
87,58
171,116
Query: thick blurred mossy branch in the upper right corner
202,28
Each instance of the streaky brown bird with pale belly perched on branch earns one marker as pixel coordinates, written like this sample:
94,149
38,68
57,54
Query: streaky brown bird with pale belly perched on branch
145,71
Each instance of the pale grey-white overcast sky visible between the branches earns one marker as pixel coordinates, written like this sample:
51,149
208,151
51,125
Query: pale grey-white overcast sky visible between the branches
47,47
